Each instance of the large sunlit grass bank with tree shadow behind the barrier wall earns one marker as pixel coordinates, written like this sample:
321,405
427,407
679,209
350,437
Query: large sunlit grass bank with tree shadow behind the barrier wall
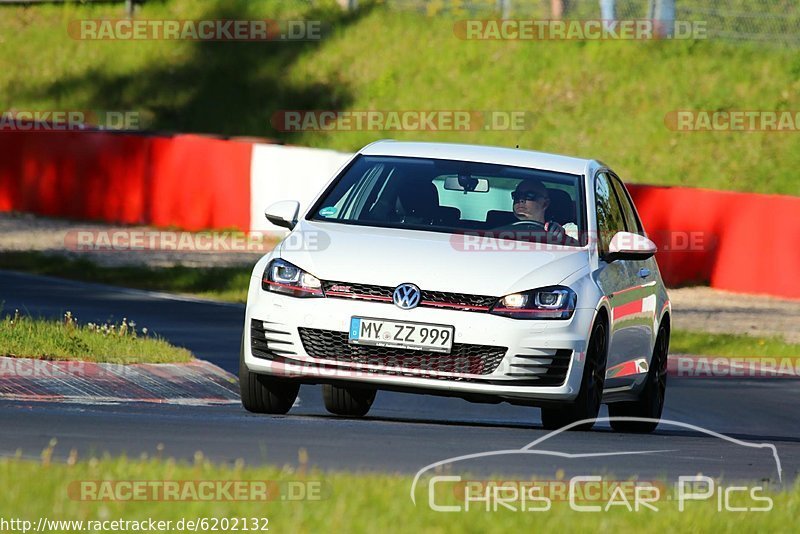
596,99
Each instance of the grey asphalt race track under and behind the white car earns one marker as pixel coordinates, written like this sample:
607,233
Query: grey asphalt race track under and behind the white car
403,433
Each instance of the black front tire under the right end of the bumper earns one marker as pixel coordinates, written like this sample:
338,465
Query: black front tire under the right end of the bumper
587,403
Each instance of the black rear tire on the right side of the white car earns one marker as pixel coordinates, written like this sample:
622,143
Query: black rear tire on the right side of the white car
651,402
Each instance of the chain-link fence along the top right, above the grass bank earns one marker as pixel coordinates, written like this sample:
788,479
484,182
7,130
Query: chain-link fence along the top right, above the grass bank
767,21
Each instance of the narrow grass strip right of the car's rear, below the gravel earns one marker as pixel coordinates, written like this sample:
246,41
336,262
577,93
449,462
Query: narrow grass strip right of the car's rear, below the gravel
731,345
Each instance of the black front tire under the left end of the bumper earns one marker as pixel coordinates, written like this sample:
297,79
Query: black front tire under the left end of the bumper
263,393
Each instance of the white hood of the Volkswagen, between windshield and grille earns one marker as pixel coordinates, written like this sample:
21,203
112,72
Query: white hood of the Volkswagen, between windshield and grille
431,260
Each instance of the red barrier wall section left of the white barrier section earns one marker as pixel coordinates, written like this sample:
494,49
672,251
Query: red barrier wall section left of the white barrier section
188,181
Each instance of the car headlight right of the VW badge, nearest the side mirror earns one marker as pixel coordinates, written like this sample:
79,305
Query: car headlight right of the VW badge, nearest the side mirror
553,302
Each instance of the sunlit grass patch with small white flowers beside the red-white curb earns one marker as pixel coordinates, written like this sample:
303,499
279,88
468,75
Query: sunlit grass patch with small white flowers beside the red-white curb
67,339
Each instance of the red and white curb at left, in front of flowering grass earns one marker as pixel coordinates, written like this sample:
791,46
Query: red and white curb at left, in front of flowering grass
195,383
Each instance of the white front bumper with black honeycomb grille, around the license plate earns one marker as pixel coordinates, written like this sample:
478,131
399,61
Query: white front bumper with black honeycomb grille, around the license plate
494,358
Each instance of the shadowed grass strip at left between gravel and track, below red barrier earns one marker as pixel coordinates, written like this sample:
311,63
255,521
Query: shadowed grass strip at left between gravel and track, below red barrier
219,283
